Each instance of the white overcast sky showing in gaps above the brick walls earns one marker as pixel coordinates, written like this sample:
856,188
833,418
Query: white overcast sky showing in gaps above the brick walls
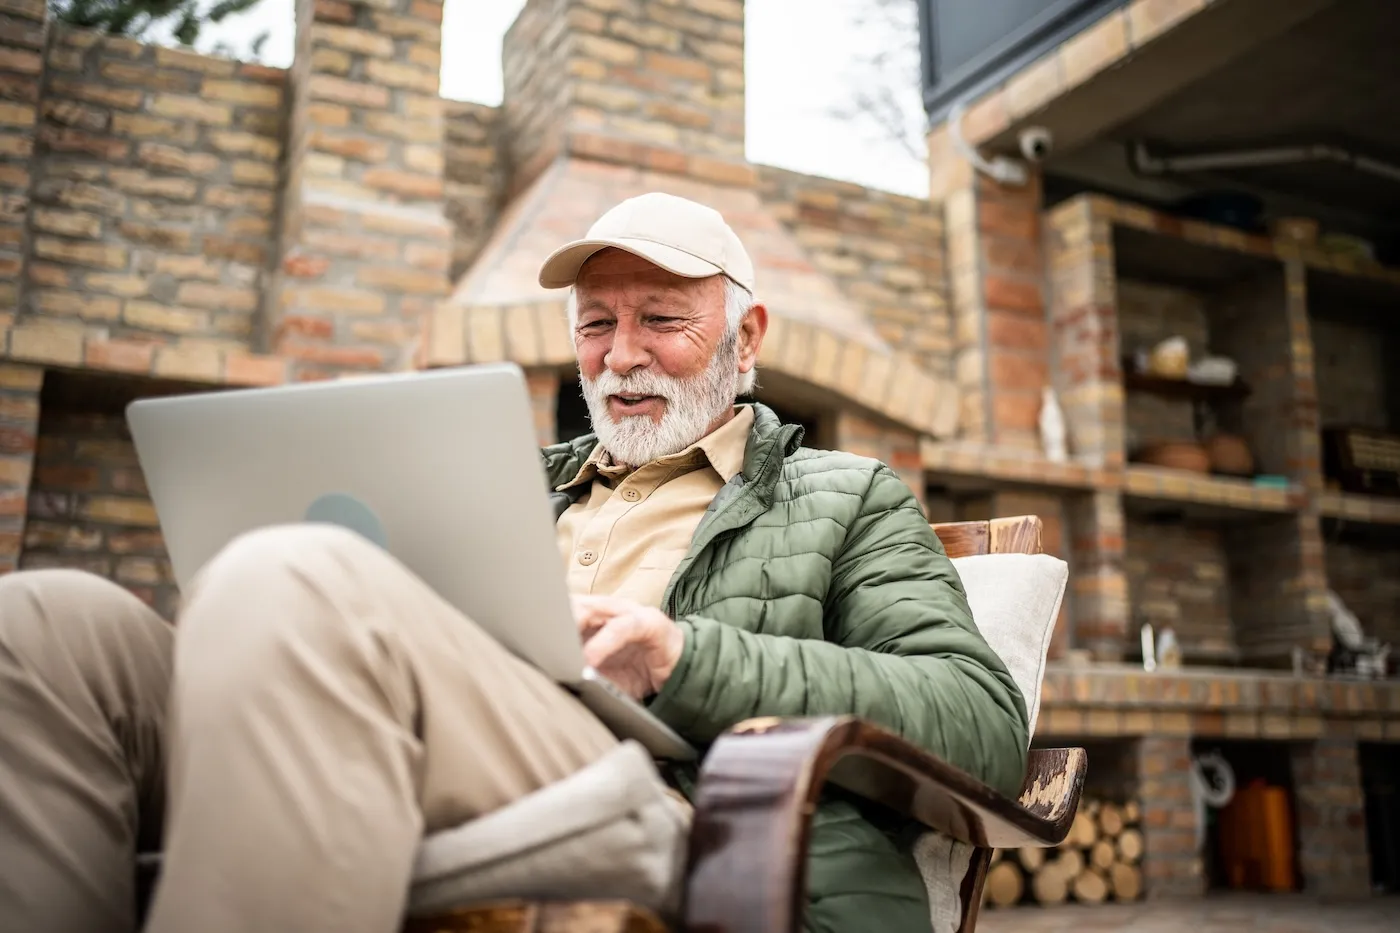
793,83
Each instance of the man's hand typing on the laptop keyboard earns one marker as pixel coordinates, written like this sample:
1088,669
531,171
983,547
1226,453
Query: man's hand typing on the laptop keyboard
632,645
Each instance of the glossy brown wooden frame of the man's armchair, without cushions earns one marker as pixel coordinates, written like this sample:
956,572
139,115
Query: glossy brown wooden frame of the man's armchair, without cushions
759,787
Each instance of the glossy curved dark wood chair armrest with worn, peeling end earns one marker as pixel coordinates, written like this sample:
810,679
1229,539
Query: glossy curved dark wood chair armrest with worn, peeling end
761,784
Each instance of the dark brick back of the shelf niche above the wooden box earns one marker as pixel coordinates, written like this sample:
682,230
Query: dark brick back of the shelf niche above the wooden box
1352,366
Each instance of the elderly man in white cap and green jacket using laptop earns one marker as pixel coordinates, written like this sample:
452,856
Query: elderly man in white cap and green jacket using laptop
321,710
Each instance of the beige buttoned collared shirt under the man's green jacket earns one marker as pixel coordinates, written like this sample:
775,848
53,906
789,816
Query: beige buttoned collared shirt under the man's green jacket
629,533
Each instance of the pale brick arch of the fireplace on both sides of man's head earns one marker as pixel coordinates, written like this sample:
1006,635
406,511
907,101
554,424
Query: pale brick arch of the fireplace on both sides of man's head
873,378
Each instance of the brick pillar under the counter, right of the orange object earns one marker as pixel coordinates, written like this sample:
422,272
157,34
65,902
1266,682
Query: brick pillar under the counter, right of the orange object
1331,812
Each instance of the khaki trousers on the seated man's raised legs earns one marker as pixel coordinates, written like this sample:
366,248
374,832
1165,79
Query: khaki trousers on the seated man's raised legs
318,712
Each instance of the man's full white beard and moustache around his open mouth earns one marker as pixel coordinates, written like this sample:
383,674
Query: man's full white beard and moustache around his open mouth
692,406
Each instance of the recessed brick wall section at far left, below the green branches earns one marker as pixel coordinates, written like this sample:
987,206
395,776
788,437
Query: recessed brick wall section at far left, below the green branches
155,193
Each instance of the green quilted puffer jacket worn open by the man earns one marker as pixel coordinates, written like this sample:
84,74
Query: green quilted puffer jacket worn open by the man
814,586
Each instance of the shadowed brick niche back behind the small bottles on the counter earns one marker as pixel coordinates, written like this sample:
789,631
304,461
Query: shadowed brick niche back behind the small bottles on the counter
1179,578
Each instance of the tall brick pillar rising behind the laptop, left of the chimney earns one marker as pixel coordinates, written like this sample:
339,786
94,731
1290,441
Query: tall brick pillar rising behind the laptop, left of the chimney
365,243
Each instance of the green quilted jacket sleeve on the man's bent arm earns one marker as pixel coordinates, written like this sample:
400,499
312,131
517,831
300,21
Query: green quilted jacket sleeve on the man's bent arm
901,651
